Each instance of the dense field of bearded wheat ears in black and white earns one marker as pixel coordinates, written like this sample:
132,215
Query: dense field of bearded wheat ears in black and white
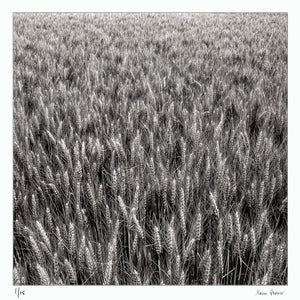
150,149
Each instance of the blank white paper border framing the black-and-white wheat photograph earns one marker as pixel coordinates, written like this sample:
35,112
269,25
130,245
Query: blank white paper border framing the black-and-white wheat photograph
124,292
